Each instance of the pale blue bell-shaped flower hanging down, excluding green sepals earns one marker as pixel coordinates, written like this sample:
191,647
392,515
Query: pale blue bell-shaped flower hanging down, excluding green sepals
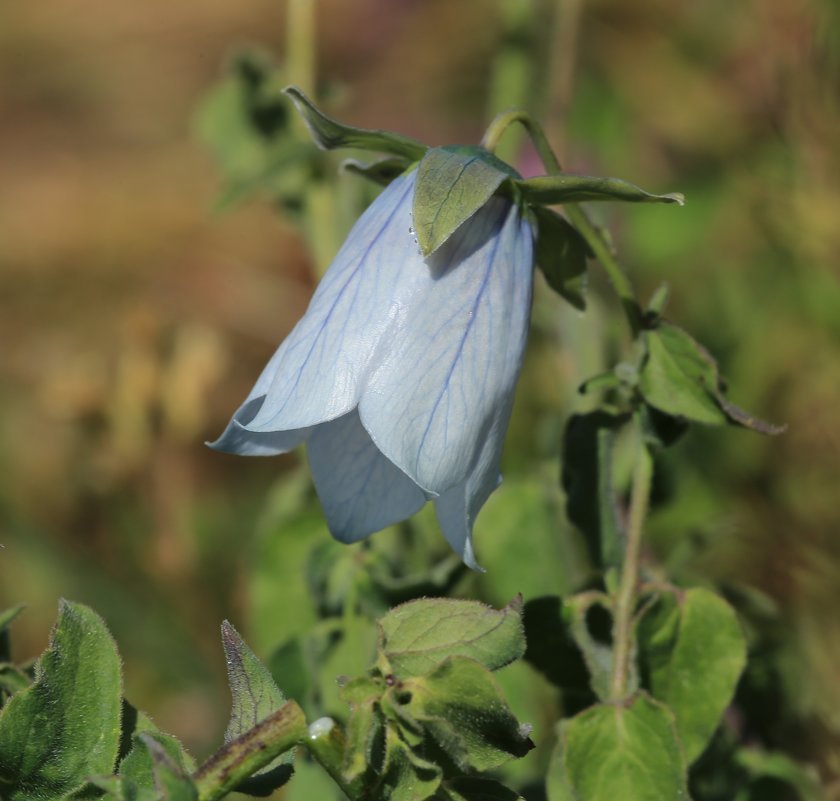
400,376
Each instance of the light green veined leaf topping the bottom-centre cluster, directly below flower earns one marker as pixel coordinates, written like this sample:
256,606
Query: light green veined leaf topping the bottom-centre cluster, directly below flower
417,636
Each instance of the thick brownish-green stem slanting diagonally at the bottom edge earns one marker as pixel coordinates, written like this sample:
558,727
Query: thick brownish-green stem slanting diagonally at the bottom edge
244,756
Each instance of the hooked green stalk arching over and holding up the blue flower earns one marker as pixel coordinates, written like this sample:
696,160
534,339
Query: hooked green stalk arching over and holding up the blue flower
577,215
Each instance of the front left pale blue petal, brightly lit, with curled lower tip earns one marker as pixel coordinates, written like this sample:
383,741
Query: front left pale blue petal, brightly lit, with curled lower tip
318,371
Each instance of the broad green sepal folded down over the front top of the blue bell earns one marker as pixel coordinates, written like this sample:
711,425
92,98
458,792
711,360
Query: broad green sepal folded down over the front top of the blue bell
452,185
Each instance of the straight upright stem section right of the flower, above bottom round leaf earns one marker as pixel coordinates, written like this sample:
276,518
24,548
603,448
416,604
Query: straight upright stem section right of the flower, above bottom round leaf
625,601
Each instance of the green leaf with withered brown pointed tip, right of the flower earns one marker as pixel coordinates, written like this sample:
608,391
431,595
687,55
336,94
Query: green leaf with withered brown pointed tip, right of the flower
681,378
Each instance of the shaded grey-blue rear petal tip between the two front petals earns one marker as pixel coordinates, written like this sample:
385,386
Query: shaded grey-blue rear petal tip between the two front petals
360,490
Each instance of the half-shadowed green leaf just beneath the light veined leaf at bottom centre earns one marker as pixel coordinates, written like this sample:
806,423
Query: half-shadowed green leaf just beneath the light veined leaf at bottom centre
460,706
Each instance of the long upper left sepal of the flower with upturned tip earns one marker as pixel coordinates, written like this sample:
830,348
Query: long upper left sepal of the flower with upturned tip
330,134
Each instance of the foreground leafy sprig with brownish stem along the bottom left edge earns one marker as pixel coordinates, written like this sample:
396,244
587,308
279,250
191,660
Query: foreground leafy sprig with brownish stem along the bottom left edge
424,722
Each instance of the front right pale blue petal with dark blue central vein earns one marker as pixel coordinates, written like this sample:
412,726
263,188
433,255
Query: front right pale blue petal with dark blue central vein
445,385
